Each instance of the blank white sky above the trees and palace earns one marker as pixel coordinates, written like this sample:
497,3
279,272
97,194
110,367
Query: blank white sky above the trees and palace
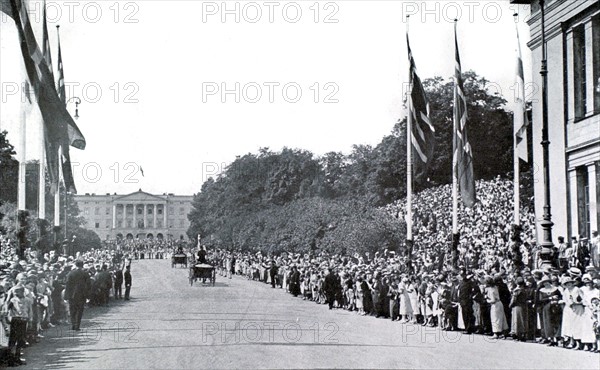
180,88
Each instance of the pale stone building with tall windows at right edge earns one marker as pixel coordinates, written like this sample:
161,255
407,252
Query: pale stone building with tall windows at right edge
572,32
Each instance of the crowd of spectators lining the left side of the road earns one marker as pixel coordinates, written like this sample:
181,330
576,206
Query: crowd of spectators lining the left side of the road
42,291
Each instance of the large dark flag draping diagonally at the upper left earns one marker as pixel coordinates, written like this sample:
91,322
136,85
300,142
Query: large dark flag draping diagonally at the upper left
54,113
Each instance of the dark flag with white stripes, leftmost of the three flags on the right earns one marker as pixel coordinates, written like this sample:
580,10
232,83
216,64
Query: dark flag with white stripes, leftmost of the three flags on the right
422,131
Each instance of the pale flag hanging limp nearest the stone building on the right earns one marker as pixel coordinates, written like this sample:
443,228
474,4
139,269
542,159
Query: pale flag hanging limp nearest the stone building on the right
520,116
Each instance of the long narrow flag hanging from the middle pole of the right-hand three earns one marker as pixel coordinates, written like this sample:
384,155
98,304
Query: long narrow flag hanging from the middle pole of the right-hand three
463,155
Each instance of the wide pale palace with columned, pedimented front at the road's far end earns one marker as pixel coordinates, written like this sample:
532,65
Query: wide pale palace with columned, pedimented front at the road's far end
136,215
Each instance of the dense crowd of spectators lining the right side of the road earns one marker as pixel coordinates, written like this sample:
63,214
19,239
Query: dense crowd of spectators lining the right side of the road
484,291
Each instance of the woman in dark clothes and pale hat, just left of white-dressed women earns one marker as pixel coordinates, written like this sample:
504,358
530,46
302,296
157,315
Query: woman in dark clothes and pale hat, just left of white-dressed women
551,311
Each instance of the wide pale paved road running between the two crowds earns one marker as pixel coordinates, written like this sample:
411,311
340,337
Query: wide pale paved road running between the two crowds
243,324
